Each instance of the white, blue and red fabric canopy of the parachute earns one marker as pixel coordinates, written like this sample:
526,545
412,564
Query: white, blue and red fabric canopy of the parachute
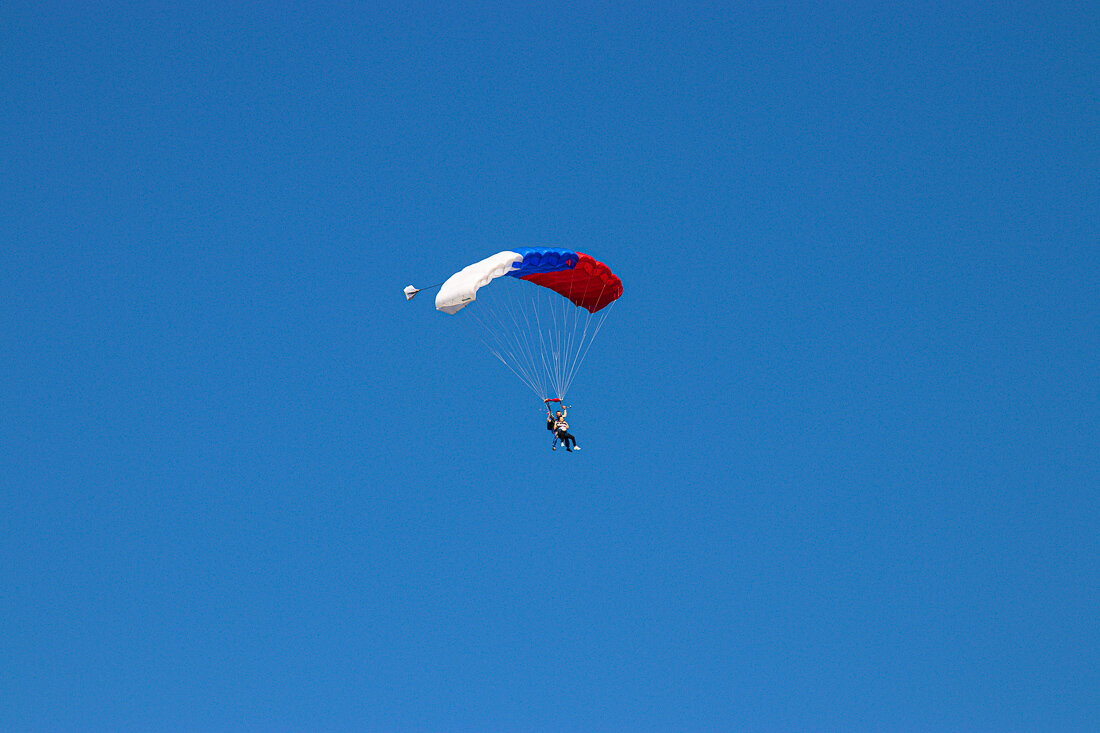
586,282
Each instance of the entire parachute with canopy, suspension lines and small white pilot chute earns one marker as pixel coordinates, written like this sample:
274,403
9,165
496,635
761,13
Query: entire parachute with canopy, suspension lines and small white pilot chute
542,314
